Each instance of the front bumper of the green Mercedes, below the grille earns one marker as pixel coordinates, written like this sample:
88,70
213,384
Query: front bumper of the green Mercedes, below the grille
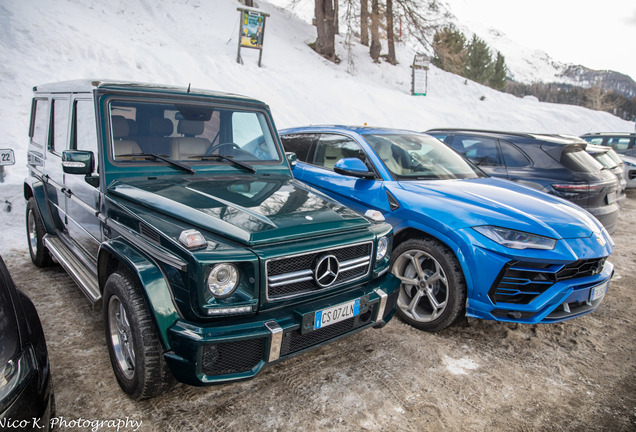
217,353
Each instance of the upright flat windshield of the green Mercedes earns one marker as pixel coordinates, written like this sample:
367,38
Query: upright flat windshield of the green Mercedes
186,131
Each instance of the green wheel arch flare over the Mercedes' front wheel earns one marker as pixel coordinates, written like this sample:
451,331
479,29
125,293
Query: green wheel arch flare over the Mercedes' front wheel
153,282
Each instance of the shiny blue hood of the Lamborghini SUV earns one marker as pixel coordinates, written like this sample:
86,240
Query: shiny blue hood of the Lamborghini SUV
490,201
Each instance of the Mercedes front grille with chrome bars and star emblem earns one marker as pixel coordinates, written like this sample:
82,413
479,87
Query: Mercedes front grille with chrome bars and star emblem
293,275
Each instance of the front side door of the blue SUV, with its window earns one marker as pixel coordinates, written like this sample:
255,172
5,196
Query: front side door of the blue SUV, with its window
318,171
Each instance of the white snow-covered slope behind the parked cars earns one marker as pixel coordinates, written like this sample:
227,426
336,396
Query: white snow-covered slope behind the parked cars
195,42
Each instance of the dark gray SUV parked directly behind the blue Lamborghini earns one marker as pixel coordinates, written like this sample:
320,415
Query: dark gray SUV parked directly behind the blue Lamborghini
557,165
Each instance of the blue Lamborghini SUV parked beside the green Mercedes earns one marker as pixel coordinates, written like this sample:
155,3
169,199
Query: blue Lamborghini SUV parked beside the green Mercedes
465,243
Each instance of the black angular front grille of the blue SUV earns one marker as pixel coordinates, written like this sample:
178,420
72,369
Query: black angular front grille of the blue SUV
520,283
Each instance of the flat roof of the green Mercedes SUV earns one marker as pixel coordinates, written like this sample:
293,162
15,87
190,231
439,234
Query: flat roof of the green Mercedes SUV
90,85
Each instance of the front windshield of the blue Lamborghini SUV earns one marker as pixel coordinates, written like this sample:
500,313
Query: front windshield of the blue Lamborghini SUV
420,157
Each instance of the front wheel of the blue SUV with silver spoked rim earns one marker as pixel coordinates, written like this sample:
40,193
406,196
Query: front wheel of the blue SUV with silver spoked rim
433,291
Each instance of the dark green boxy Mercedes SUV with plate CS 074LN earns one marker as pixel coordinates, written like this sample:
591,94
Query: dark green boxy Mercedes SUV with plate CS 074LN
176,208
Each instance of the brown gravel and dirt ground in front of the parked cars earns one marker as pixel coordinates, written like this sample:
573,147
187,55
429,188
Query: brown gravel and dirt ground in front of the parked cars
480,376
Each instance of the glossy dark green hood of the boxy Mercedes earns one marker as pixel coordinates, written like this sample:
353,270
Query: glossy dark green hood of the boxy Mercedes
248,210
